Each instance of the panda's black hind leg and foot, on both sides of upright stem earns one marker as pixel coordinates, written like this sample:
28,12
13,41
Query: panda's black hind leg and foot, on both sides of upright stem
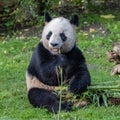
43,98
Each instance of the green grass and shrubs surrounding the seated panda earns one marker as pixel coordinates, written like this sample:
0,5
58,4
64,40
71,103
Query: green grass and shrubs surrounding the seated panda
99,30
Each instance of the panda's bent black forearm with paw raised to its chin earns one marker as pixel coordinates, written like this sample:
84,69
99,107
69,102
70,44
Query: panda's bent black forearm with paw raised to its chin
48,70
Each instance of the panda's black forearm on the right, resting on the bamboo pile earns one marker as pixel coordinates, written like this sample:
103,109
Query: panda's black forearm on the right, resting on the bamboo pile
80,80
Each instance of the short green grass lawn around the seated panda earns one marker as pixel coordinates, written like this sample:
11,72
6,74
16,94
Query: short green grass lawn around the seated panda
15,54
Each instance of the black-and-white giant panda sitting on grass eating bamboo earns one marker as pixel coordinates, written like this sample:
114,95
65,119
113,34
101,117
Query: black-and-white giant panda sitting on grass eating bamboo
57,48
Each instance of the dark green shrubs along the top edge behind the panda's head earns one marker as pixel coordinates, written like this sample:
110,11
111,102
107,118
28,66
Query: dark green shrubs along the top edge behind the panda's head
16,14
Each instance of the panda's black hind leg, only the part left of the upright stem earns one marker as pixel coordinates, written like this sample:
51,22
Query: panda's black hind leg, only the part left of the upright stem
42,98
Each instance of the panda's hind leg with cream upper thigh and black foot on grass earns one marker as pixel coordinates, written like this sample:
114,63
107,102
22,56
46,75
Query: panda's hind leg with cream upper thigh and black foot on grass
41,95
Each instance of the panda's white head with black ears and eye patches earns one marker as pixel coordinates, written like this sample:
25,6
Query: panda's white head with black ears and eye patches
59,34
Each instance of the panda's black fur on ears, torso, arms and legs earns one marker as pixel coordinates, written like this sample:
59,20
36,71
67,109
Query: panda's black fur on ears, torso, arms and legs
43,66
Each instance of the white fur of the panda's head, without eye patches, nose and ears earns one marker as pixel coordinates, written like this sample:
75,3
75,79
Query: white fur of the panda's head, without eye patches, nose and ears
57,26
